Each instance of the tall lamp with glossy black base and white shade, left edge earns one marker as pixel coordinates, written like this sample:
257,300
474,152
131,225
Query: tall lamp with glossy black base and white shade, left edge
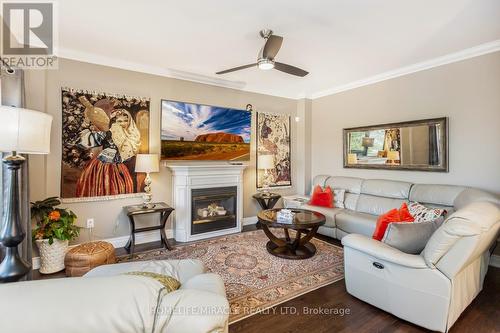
28,132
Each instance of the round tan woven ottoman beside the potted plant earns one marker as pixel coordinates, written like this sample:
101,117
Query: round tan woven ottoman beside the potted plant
82,258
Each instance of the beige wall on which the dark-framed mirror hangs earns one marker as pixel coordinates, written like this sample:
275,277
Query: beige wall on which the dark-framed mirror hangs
468,92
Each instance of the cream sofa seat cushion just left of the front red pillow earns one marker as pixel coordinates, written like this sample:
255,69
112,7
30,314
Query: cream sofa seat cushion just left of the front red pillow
354,222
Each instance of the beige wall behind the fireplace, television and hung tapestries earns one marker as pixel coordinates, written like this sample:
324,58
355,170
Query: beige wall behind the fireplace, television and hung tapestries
44,93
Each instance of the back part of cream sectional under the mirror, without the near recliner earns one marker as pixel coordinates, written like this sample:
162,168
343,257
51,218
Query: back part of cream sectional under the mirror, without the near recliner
366,199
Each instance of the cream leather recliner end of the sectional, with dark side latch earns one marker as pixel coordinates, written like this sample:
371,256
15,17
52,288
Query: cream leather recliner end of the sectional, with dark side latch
433,288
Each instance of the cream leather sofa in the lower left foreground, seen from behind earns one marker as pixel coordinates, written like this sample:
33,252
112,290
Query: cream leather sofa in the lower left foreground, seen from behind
104,300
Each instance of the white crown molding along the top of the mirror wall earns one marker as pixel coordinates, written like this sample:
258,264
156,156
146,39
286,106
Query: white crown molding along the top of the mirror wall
472,52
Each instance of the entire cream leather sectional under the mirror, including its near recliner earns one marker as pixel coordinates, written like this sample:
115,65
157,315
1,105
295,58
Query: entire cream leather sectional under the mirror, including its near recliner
430,289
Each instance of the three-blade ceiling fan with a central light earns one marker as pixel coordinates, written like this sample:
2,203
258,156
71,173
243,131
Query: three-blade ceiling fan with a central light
265,60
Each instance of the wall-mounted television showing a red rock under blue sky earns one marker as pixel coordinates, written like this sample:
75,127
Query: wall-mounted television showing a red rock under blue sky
203,132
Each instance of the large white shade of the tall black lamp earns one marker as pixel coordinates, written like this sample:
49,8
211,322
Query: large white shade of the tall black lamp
24,131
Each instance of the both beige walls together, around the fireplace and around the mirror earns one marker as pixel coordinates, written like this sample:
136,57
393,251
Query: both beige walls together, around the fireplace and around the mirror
467,92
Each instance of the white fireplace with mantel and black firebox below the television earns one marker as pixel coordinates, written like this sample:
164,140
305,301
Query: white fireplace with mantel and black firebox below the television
208,200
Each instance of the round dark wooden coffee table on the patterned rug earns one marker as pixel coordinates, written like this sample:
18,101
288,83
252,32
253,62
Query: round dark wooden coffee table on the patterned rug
306,224
